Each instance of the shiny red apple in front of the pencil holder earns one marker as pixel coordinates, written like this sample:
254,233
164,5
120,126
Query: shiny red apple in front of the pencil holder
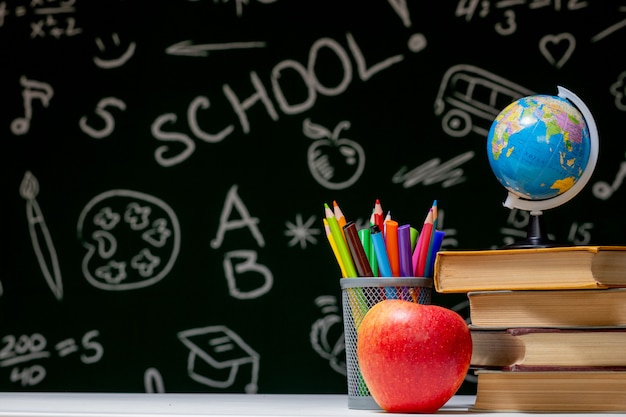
413,357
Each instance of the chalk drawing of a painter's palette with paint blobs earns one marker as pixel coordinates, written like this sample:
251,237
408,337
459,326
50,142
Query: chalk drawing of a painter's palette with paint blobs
132,240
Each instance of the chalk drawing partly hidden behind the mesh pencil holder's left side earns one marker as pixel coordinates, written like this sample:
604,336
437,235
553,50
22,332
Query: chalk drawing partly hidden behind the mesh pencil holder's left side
327,338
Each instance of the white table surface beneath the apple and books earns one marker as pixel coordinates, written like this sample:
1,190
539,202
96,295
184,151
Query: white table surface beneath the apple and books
183,405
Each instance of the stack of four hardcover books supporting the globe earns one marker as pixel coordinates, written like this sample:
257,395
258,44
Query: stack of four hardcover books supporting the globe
548,326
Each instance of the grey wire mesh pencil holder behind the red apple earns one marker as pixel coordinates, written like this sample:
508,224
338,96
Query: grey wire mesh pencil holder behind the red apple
358,295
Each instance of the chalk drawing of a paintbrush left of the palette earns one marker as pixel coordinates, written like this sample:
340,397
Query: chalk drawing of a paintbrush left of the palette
40,236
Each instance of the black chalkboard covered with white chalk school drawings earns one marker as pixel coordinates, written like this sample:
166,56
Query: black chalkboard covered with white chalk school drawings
165,166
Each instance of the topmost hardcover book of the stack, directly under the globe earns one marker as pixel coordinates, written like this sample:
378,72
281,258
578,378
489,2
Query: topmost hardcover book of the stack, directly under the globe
565,267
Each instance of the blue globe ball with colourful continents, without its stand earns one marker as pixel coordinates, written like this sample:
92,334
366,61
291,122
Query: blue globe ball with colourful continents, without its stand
539,146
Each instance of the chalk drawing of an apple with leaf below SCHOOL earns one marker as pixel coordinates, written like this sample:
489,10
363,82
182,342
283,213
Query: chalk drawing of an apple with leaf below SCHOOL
335,163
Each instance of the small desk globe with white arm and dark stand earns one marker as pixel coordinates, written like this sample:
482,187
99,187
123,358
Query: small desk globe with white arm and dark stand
543,150
